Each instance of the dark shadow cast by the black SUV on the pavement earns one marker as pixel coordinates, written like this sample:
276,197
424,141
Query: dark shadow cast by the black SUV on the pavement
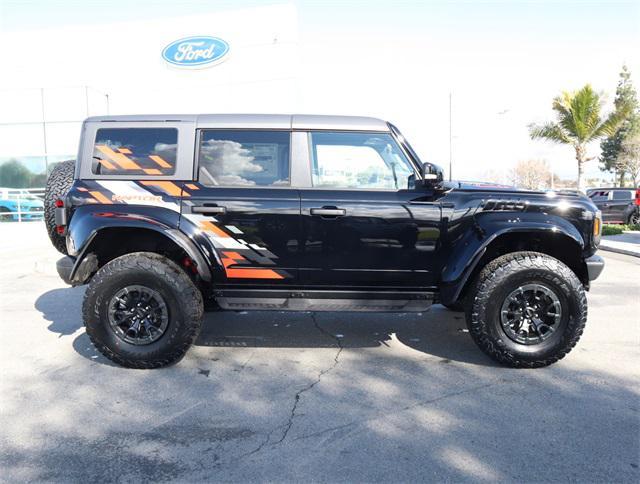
439,332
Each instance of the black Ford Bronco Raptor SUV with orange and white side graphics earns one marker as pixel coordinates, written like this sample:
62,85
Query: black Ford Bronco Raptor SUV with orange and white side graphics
164,216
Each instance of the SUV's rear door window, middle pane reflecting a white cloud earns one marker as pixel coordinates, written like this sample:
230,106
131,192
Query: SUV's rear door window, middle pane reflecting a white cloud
244,158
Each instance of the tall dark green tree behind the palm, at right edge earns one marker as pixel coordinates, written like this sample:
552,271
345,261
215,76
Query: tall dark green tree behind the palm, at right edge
626,98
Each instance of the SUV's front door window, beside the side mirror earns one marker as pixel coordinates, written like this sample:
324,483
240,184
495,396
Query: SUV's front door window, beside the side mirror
358,161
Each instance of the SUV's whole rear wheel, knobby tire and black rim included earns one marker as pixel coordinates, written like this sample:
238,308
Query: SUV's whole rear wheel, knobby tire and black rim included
142,310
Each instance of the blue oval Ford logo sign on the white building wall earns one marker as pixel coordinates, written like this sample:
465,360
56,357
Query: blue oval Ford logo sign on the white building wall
195,51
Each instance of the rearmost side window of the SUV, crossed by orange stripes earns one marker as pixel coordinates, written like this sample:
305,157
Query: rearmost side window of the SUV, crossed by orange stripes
135,151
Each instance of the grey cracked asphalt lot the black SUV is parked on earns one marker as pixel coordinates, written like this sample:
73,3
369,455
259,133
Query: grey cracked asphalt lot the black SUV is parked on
310,397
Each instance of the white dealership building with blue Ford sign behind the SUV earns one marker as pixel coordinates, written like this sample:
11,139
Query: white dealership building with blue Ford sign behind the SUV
231,61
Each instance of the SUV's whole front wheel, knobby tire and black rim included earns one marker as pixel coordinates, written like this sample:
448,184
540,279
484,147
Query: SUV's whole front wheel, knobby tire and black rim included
528,310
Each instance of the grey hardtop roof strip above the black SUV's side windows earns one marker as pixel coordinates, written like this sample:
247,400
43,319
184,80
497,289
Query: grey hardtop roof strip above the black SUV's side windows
253,121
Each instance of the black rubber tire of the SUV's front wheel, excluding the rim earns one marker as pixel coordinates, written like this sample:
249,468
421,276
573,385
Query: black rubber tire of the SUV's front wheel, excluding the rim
503,275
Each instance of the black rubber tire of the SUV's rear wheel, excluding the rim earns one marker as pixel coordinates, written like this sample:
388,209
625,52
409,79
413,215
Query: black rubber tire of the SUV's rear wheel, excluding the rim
182,297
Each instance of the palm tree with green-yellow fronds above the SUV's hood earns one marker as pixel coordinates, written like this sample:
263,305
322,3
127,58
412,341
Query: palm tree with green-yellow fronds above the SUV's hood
578,123
